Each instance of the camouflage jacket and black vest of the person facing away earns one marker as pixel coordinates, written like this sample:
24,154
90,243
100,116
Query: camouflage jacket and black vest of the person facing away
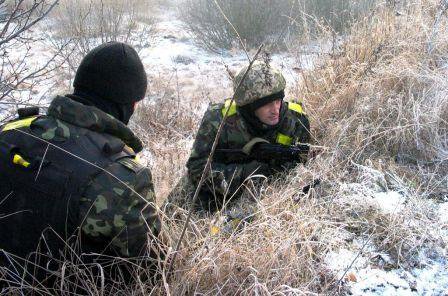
115,209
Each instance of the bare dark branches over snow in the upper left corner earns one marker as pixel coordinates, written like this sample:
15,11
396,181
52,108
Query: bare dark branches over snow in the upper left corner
18,74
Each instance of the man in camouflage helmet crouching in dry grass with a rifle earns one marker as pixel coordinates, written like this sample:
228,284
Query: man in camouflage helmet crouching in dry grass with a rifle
258,121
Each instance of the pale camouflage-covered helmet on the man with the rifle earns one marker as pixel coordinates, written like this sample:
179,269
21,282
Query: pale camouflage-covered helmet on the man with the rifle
261,81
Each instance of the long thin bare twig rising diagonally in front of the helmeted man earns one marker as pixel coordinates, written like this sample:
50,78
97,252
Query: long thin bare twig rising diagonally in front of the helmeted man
209,160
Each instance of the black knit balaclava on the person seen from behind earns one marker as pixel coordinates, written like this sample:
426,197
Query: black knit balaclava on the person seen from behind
112,78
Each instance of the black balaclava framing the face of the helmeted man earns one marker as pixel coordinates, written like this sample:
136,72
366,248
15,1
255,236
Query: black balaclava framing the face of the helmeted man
248,113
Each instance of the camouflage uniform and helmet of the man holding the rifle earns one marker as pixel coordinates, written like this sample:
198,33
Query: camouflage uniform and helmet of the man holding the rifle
225,176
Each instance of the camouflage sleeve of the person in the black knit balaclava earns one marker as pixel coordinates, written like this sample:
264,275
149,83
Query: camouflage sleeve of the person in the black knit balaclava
119,215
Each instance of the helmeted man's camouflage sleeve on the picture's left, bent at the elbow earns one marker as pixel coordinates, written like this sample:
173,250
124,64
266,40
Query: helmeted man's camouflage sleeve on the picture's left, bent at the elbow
222,177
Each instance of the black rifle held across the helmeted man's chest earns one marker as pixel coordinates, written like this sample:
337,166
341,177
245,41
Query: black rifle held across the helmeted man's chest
264,152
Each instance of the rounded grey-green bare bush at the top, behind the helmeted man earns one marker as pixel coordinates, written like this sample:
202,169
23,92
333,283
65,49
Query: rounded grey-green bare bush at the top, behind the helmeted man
255,21
